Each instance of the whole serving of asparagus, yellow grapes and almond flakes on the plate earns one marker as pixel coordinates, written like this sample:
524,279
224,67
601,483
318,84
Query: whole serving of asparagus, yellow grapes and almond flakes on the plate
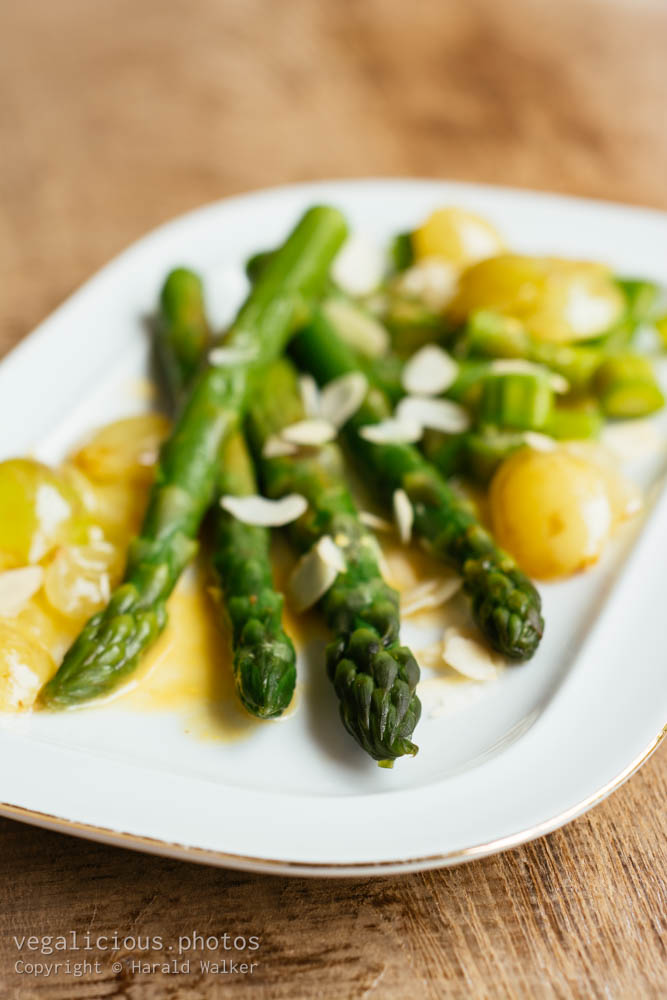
477,393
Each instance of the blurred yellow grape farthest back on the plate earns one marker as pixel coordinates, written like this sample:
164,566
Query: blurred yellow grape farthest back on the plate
456,236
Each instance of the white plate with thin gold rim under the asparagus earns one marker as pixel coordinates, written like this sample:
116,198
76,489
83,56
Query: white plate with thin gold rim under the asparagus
536,748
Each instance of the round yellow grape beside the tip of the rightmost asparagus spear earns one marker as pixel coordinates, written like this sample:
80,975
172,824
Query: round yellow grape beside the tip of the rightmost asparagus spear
550,510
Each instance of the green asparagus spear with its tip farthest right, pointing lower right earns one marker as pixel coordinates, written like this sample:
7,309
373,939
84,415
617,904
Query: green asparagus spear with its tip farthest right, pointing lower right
505,604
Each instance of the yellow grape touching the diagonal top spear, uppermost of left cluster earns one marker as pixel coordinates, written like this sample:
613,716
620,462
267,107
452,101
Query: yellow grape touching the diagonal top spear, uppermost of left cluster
126,449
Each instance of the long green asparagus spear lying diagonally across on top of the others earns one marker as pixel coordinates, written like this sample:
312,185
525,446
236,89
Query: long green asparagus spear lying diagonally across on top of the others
112,642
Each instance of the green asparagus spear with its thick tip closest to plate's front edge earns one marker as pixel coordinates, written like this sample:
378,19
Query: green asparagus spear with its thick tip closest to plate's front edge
373,675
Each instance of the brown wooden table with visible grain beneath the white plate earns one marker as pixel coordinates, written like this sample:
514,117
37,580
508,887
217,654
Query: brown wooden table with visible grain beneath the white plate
115,117
